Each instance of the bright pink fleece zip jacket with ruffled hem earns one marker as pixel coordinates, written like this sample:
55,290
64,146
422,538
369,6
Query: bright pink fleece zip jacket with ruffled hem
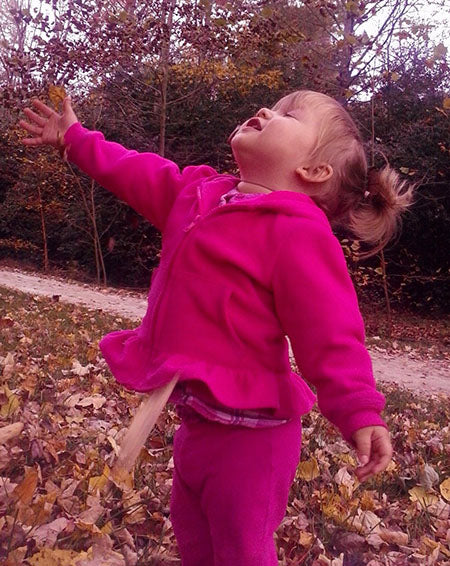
232,282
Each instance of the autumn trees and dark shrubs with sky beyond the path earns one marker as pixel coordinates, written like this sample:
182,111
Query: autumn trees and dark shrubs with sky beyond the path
177,76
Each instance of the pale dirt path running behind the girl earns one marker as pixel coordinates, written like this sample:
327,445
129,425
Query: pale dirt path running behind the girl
422,376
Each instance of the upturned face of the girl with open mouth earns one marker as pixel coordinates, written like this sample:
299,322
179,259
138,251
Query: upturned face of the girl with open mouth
276,138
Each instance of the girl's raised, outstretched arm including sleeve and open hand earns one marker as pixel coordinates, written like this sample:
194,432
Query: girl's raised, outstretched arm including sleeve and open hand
145,181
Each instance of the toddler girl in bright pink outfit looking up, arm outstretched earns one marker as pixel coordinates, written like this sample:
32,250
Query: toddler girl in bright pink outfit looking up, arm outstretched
245,262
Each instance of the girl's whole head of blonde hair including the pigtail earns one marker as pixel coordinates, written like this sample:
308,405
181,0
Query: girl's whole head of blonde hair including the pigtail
367,202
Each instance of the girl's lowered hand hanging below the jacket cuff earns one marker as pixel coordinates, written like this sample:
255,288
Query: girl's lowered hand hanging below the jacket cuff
374,450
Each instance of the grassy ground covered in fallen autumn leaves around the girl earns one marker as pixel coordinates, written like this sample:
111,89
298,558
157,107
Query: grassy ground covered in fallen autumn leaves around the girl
62,417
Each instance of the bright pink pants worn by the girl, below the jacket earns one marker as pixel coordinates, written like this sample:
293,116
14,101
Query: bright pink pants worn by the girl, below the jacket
230,490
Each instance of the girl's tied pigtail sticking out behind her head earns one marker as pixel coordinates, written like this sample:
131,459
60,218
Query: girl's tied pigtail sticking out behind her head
378,217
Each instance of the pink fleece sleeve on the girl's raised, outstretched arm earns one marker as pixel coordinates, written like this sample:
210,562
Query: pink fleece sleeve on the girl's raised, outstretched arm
147,182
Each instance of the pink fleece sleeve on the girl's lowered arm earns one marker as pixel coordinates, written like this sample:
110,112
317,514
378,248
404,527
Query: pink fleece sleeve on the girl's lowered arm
318,309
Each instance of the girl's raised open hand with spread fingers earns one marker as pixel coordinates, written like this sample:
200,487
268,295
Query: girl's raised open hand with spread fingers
48,127
